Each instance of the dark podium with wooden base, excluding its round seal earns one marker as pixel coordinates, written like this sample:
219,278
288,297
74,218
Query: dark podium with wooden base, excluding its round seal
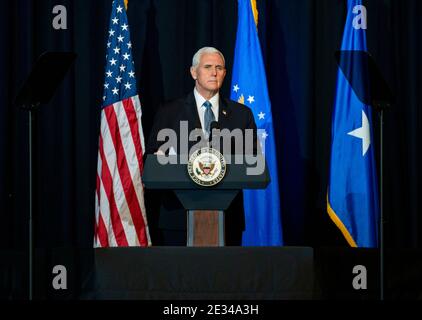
205,206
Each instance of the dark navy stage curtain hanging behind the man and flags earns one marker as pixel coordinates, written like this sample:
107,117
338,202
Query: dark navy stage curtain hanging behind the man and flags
299,39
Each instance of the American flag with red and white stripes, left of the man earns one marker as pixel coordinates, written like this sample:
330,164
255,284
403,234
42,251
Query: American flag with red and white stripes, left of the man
120,216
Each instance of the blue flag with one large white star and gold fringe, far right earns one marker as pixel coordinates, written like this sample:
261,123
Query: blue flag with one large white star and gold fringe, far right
352,191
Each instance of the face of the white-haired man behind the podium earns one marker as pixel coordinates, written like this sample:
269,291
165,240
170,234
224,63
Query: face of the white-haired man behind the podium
209,74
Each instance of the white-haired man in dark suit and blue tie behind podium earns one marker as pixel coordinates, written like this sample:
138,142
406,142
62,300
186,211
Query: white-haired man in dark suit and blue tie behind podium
200,108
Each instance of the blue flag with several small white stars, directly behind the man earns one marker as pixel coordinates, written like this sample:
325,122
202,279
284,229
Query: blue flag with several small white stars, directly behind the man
249,86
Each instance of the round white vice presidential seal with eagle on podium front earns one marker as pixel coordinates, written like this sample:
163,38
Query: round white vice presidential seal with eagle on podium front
206,167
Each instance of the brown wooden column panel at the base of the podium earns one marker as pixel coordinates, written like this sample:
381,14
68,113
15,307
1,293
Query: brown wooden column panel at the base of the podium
205,228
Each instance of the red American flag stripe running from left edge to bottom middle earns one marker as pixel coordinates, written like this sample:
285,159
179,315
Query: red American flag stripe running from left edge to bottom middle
116,224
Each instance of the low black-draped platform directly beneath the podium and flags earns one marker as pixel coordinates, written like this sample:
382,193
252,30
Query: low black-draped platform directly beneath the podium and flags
205,273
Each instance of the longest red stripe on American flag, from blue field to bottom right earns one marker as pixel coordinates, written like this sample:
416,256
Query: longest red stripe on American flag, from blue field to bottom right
125,177
